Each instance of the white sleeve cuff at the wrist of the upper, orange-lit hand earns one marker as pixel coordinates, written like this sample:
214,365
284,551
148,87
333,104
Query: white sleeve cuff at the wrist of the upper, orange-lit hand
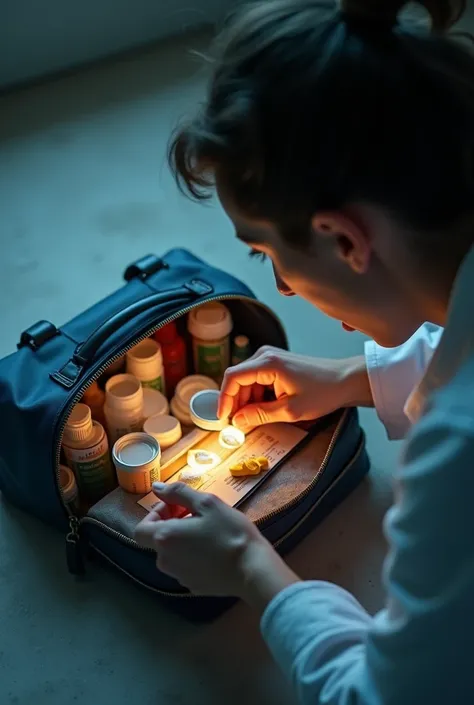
395,372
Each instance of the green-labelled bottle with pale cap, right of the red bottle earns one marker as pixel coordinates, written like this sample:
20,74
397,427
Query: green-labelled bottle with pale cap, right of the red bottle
210,326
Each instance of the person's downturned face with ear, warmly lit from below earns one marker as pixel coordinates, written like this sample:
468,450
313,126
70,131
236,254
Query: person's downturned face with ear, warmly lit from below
348,269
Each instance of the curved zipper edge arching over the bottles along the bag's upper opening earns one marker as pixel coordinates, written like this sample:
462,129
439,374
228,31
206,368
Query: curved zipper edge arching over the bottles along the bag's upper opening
77,397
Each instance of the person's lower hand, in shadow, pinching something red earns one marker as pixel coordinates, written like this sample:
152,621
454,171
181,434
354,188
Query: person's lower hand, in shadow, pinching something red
214,551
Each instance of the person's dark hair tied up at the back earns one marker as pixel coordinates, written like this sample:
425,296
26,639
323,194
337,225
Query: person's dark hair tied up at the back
311,106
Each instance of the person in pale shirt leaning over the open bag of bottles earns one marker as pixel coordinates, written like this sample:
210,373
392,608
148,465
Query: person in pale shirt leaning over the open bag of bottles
340,142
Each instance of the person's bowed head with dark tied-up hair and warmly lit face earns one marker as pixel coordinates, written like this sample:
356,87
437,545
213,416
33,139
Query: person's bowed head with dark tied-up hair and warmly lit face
340,140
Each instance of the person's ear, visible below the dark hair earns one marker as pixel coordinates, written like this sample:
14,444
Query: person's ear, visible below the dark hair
350,241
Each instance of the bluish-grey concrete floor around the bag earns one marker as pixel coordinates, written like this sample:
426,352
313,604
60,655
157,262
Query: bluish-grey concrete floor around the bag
84,191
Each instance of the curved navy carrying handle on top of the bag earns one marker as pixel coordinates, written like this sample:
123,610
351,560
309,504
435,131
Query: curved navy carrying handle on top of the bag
167,301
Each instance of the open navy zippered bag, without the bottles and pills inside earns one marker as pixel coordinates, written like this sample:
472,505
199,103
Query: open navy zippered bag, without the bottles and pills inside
42,381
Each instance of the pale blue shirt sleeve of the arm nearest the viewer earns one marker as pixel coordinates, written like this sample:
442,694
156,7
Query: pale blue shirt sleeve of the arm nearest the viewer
419,648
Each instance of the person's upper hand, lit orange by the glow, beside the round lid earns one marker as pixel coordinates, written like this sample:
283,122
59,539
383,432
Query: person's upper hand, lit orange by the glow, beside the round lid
305,388
